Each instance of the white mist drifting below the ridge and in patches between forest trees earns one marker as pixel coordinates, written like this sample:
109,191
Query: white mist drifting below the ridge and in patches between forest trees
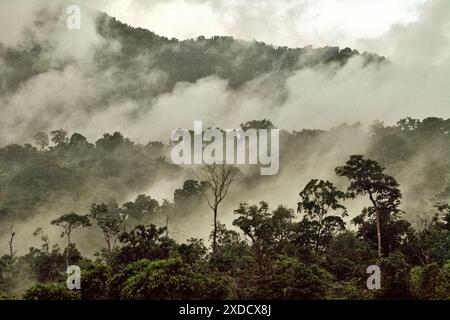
65,85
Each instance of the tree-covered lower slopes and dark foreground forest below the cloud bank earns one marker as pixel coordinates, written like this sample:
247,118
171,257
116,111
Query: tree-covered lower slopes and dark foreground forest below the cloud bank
320,239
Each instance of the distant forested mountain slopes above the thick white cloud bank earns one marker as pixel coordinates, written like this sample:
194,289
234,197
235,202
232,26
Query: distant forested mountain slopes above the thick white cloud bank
137,64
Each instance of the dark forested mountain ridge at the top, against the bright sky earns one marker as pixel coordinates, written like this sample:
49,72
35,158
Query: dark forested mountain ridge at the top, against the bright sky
236,60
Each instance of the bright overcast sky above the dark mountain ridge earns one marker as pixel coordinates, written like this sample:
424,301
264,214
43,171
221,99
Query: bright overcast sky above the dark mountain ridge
293,23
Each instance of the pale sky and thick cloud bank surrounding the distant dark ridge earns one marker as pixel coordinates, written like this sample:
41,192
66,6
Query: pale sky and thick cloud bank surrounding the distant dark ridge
413,34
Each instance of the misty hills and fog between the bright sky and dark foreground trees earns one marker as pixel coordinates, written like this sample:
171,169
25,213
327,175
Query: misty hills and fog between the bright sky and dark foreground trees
110,77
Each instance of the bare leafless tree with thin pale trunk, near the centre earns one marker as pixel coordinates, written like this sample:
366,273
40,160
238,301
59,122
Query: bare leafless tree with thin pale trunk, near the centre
218,178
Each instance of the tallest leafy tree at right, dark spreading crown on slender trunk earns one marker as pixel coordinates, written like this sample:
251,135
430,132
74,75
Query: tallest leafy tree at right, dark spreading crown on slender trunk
367,177
